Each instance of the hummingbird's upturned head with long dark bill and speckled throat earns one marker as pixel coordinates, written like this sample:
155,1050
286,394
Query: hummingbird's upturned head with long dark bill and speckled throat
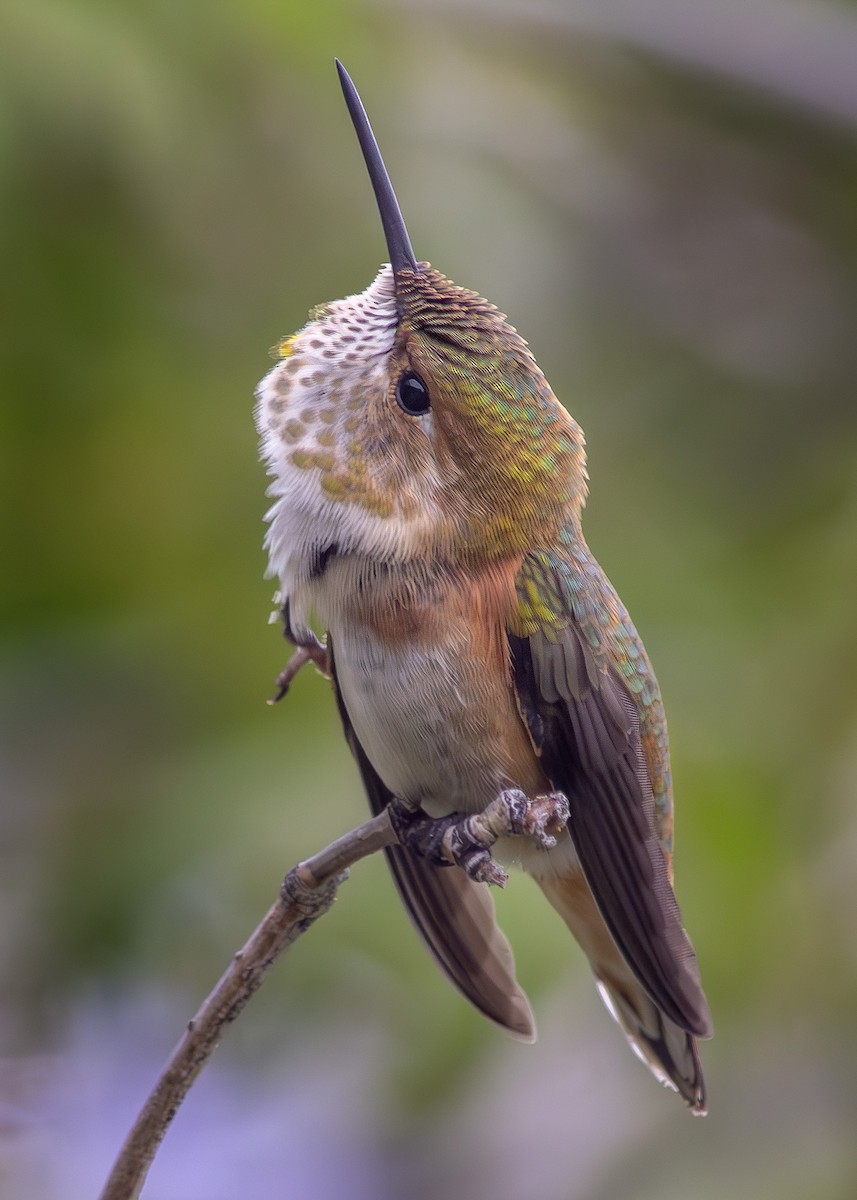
412,421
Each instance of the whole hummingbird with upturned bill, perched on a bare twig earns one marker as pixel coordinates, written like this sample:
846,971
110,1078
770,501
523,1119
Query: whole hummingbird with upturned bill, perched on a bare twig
428,491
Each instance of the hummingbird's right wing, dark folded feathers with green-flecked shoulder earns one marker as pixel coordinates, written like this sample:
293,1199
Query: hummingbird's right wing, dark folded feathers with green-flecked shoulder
588,729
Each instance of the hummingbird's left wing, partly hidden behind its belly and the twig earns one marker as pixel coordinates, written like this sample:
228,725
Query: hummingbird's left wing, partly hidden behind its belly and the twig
454,915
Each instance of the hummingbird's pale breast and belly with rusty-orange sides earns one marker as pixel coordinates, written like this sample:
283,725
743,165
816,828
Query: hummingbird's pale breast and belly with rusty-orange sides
423,668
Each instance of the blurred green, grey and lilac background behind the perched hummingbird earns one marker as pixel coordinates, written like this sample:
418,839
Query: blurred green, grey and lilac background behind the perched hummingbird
663,196
